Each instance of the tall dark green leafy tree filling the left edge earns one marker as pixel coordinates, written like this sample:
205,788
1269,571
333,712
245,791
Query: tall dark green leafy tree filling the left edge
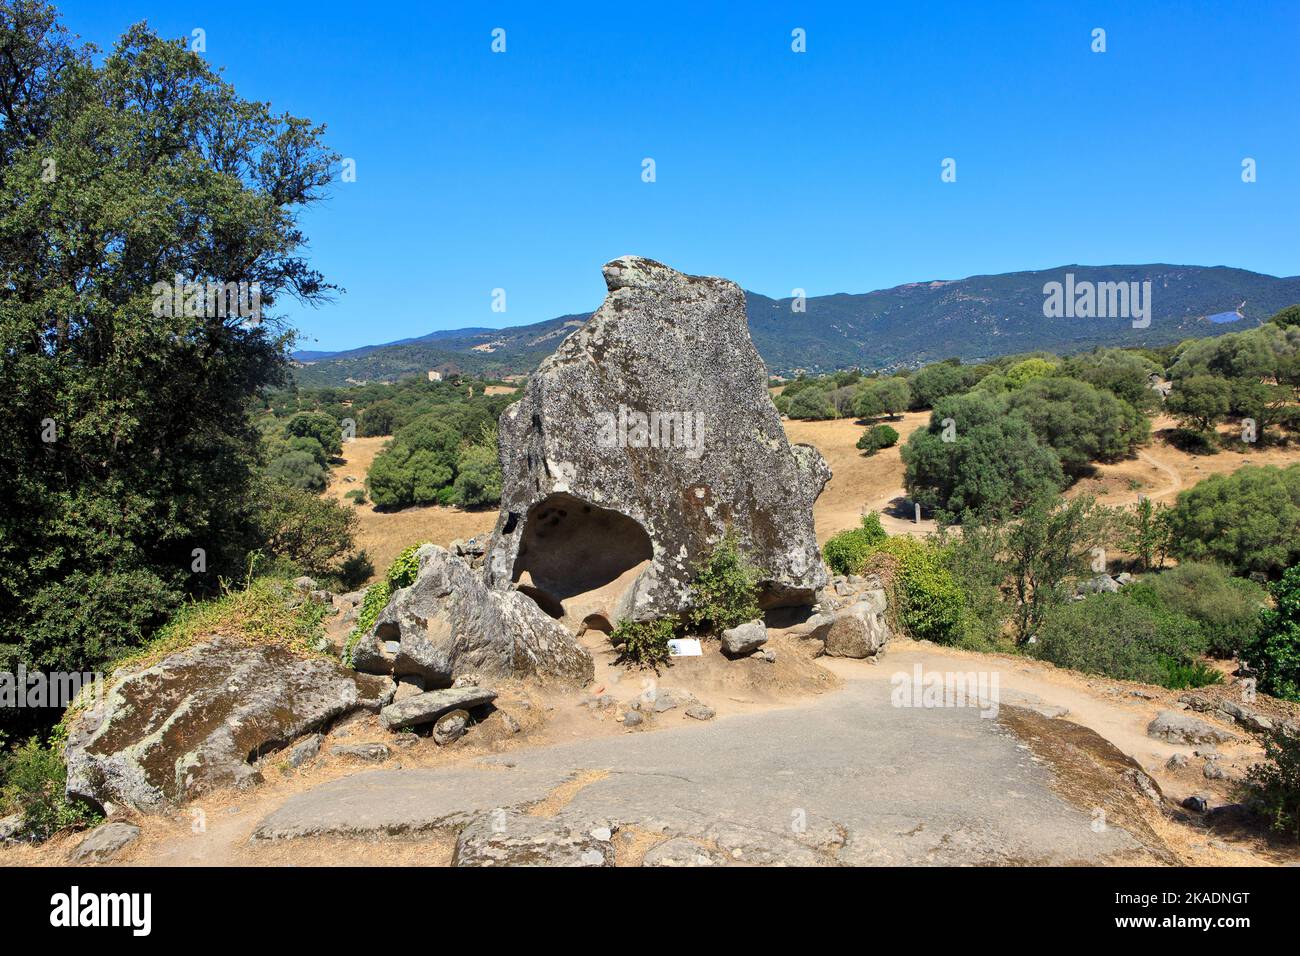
129,440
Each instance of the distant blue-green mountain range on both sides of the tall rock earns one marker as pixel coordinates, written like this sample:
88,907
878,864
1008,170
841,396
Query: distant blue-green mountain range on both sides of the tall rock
912,325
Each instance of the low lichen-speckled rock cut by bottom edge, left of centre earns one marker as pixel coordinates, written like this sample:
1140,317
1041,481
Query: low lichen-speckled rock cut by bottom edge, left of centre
508,838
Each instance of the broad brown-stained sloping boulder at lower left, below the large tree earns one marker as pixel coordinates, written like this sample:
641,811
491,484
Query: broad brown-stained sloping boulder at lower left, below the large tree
200,719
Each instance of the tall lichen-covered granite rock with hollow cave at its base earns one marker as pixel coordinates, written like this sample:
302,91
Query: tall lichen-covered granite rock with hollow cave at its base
638,445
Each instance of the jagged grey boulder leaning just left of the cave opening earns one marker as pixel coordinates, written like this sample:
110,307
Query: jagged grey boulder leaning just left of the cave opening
449,624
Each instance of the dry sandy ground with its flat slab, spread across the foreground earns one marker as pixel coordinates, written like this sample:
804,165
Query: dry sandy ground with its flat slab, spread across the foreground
881,784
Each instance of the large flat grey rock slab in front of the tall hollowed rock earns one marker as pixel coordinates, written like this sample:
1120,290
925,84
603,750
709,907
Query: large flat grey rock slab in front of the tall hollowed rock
850,780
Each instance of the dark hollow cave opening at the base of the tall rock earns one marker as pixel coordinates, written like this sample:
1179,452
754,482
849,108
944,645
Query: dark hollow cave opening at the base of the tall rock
577,560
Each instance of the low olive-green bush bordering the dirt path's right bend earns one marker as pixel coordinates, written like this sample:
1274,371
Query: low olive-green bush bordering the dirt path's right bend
1116,637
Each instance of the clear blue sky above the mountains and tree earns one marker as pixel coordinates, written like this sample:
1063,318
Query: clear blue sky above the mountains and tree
817,171
